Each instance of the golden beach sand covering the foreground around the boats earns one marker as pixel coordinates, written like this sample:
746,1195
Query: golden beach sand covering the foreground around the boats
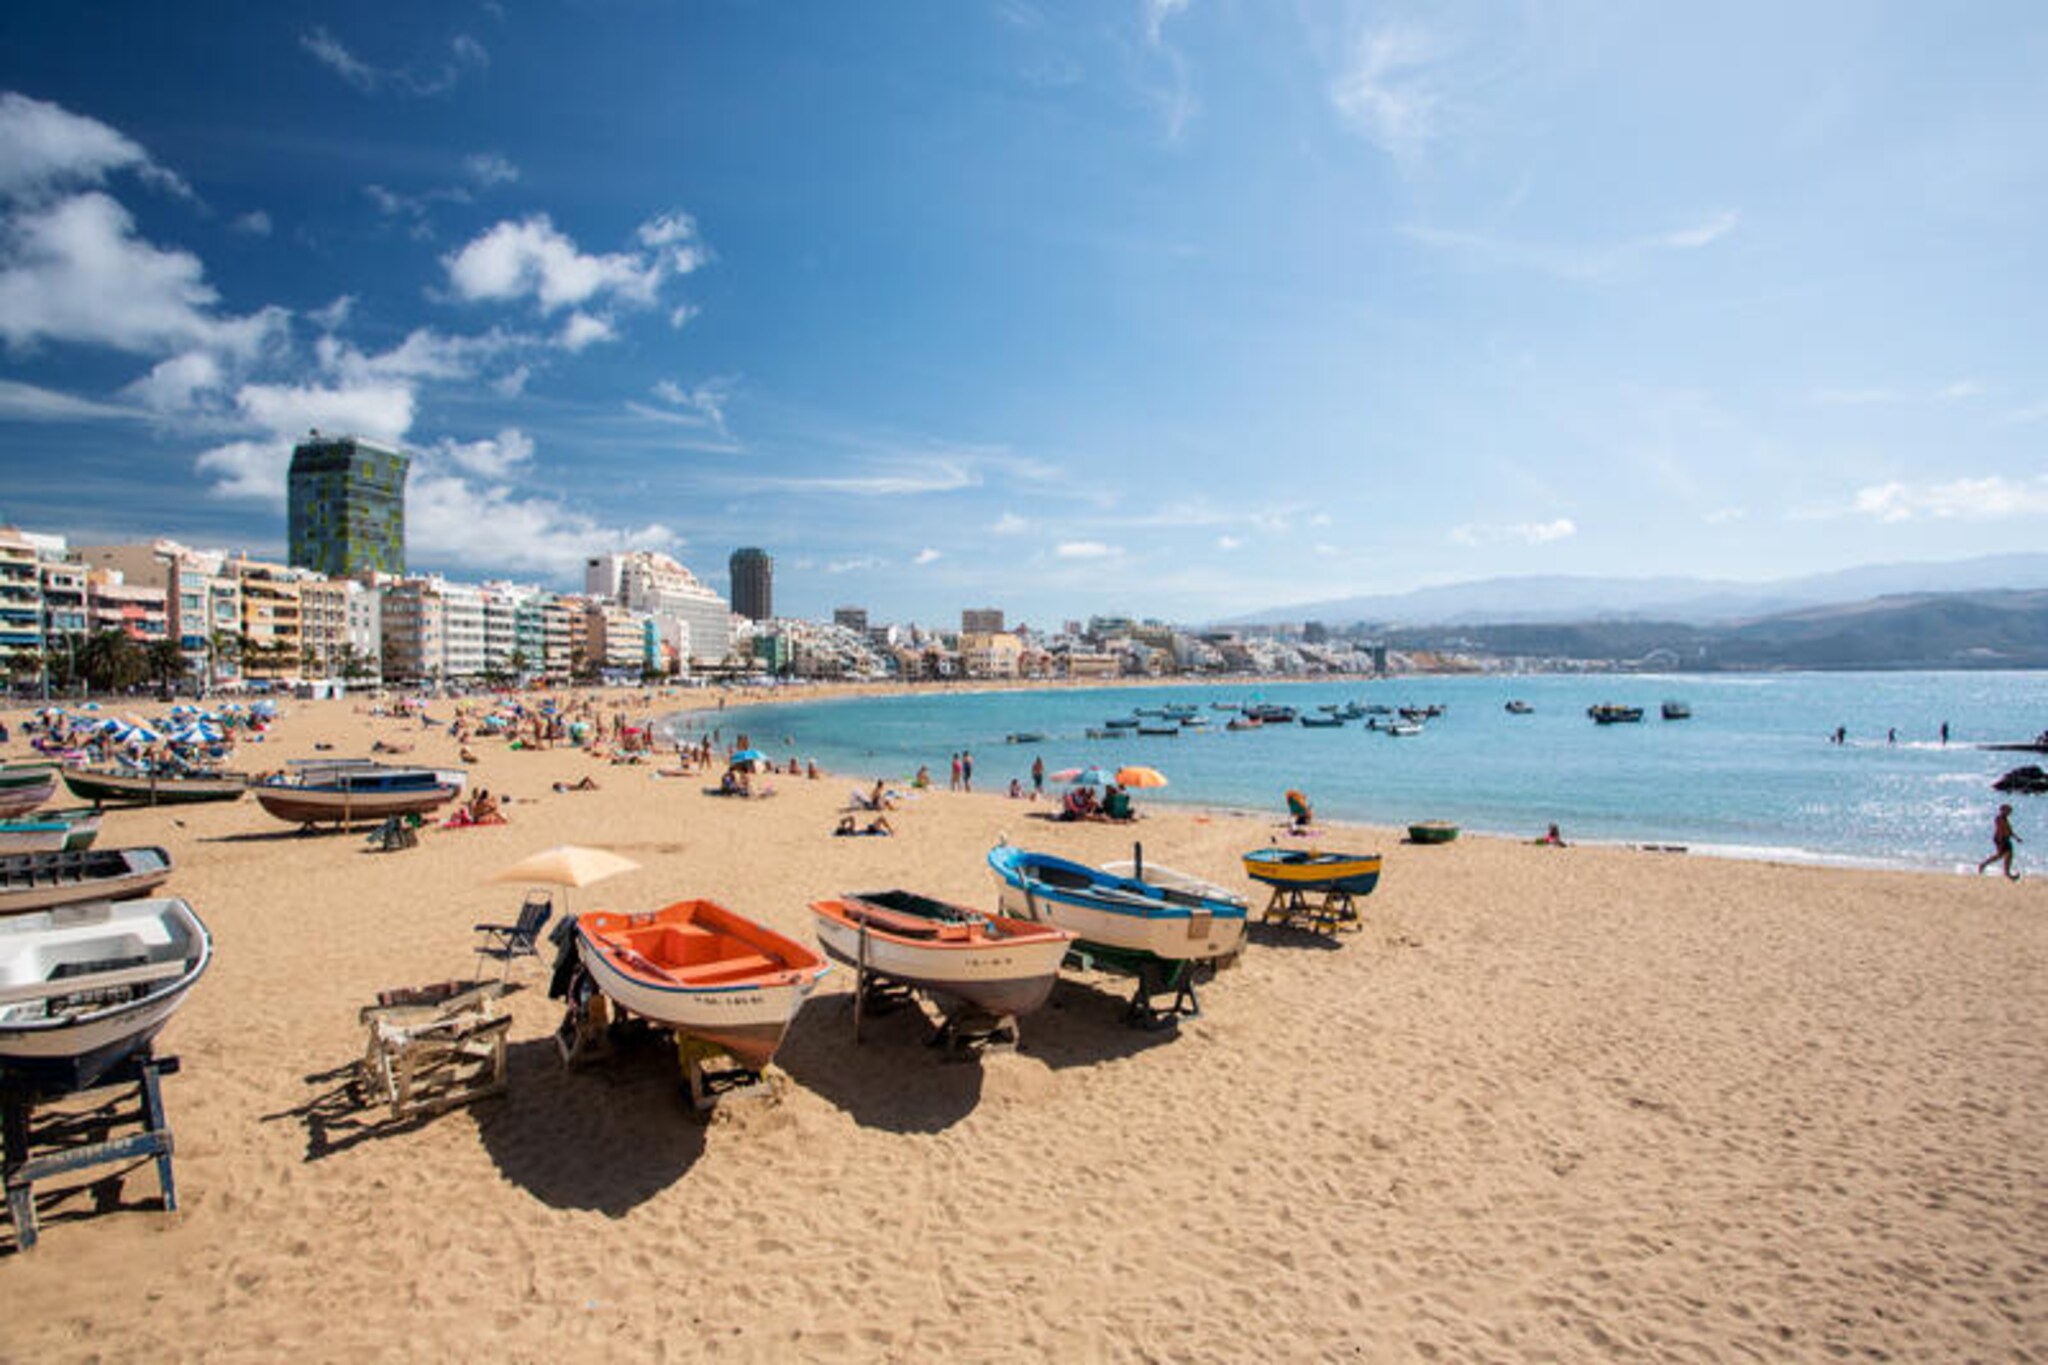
1547,1104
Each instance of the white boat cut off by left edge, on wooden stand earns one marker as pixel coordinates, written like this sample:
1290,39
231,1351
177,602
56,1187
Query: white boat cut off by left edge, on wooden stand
83,987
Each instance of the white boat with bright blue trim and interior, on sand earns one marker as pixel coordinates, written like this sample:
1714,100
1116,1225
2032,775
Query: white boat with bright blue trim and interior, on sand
1119,914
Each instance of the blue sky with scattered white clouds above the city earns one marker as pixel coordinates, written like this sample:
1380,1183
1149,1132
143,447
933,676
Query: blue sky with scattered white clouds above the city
1172,308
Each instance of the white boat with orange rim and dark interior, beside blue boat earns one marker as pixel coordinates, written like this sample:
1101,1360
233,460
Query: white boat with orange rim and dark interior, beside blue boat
988,963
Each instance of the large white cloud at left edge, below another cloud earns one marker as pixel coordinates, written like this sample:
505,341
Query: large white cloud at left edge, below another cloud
77,273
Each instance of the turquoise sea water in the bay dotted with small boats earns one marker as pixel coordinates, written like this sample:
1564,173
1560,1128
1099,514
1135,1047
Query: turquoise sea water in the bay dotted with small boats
1750,775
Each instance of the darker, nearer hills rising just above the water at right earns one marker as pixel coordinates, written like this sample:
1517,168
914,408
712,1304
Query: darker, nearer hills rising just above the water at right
1922,631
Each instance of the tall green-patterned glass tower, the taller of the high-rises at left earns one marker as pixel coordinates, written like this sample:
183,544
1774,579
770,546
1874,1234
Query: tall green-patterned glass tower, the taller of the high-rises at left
347,511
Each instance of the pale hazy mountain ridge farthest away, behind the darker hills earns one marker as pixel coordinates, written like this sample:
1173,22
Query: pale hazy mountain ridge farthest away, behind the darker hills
1701,603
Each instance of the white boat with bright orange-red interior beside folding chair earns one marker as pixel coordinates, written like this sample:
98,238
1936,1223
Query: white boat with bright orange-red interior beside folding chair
701,971
